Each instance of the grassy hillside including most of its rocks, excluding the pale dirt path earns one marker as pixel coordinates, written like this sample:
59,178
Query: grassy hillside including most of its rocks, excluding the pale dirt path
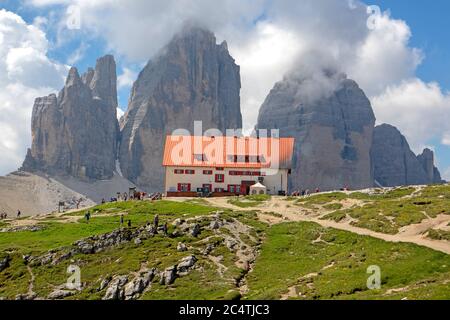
237,255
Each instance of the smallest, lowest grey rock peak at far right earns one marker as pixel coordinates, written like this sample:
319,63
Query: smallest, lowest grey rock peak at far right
396,165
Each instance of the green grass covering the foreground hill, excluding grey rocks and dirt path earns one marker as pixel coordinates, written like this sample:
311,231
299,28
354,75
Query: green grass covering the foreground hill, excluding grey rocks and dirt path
287,252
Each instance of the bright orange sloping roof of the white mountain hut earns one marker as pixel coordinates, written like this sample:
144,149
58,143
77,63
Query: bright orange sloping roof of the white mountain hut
228,152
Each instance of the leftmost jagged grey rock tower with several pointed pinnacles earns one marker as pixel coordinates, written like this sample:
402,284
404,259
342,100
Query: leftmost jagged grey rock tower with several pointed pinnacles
75,133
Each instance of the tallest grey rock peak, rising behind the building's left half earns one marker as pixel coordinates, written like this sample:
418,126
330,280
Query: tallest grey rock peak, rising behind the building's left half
192,79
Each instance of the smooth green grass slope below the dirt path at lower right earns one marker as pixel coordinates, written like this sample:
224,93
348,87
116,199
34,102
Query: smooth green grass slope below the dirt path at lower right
347,256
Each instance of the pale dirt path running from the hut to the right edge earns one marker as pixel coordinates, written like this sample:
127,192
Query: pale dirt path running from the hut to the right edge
411,234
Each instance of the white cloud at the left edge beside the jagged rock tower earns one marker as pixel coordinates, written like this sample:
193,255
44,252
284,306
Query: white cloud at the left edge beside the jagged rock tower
25,73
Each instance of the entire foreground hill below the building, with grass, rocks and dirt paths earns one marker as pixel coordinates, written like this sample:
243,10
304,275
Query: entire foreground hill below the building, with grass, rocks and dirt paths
232,248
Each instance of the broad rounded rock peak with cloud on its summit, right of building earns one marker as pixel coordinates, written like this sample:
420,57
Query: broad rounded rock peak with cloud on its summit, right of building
332,122
